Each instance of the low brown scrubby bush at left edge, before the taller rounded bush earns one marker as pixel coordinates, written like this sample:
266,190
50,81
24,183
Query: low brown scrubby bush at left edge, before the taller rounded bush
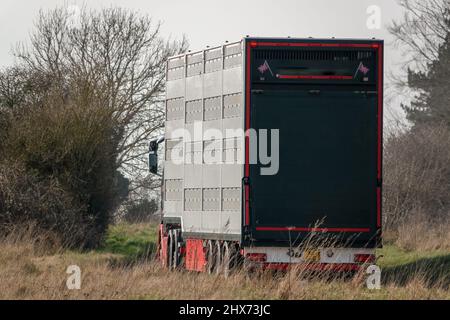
26,200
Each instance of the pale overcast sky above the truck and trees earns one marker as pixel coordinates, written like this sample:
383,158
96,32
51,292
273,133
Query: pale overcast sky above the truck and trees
211,22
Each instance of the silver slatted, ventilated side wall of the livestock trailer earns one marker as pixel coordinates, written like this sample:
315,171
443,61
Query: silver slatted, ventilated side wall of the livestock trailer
204,100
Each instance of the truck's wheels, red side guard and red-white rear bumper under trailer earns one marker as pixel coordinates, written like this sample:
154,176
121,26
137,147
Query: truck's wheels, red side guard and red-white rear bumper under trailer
222,256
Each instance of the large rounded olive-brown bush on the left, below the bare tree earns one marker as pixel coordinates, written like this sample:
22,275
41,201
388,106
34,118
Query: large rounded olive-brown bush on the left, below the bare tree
59,168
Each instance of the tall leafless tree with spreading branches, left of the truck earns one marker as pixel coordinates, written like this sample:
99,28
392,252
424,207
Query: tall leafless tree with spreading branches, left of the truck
122,54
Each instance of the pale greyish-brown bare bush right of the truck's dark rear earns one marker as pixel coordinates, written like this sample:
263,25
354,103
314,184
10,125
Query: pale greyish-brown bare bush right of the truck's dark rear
417,176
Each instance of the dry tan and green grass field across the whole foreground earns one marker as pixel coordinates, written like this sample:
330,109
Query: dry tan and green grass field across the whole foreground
123,269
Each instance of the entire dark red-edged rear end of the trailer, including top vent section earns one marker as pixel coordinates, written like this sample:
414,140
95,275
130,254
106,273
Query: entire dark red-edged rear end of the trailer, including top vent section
325,99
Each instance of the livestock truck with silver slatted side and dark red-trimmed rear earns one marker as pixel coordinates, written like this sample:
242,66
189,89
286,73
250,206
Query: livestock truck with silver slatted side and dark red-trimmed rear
272,155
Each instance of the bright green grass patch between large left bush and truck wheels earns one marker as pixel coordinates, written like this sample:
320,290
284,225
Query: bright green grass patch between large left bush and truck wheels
131,240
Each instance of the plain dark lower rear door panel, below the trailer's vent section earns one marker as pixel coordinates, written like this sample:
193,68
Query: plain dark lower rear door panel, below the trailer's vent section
327,172
